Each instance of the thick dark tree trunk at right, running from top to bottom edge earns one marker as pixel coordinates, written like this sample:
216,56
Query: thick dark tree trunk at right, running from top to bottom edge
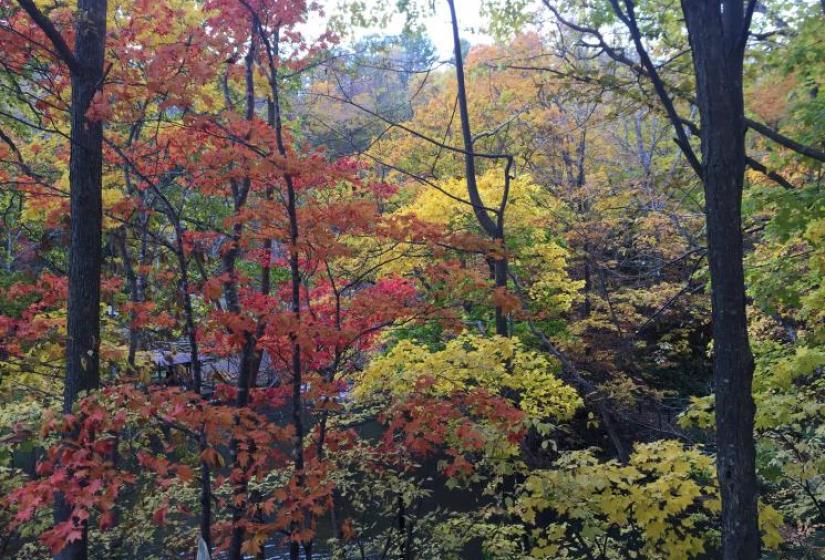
717,38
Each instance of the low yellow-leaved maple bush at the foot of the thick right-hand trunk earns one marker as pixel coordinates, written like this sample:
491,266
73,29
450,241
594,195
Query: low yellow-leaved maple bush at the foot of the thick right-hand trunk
661,504
